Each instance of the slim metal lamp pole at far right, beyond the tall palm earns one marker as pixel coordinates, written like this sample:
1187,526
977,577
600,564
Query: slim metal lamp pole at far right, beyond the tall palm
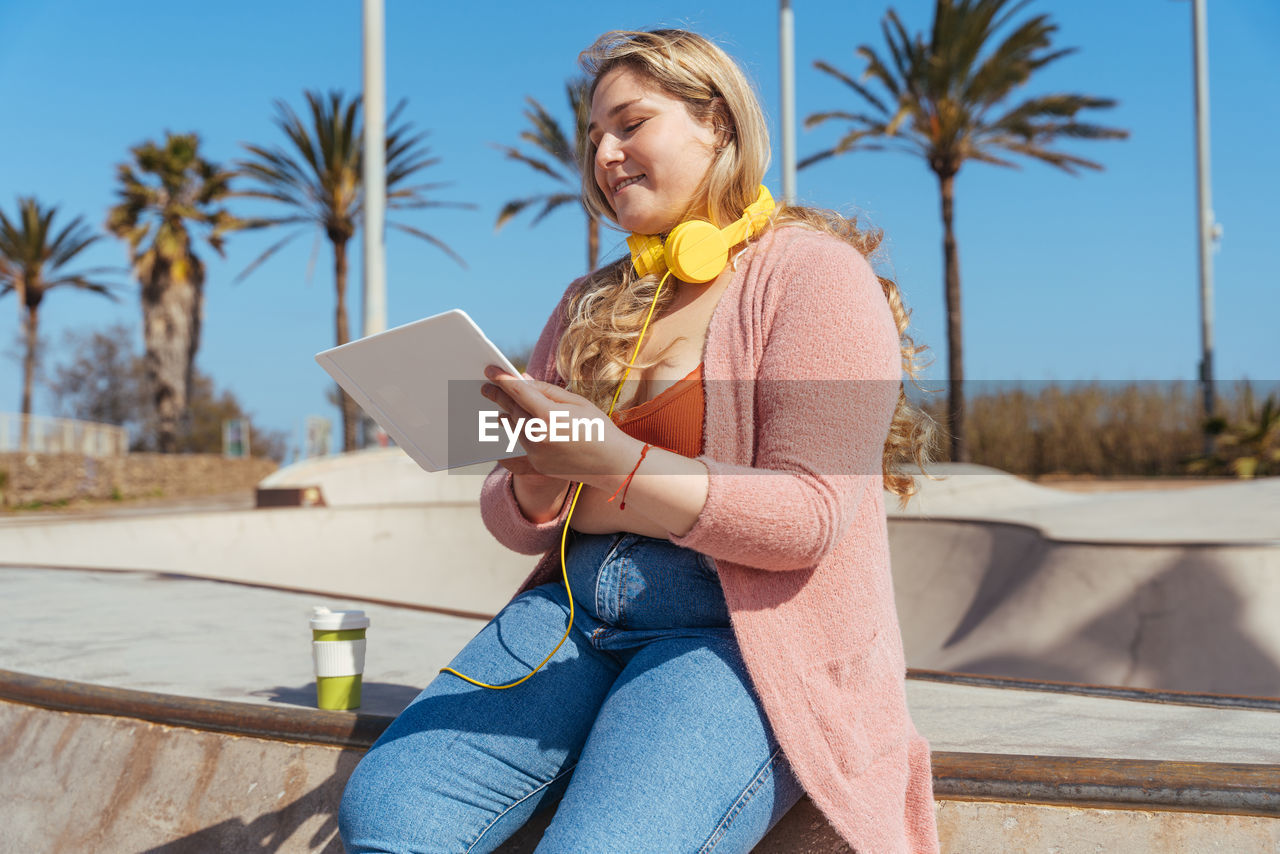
1204,211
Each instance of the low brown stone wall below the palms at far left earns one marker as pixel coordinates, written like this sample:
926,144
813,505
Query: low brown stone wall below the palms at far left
53,478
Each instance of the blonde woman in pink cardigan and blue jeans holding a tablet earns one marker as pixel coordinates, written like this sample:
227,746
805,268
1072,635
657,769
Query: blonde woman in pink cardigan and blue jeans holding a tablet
732,643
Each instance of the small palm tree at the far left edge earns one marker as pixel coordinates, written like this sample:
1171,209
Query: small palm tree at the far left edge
31,266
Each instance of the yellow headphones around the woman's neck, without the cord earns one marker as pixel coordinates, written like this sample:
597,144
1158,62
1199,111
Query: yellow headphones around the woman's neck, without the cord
697,252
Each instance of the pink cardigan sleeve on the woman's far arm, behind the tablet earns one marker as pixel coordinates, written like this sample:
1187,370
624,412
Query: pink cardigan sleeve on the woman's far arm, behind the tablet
499,508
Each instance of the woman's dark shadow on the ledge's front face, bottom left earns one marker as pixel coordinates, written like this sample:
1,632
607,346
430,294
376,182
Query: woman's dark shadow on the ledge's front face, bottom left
272,832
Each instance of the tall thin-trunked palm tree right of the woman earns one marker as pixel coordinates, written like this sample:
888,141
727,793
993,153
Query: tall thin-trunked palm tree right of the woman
948,103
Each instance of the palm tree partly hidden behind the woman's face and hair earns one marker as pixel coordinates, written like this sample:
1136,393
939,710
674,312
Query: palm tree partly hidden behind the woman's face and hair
548,138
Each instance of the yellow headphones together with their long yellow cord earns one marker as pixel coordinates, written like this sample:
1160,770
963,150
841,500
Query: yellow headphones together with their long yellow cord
696,252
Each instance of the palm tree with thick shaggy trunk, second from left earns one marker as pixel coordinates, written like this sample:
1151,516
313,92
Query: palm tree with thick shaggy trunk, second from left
175,191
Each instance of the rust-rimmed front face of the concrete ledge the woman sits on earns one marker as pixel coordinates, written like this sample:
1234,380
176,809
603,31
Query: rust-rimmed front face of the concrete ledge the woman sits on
232,777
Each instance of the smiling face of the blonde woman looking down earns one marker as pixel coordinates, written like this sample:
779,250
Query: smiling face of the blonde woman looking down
651,153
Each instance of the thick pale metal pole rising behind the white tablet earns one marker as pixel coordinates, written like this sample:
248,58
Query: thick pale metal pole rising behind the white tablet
376,171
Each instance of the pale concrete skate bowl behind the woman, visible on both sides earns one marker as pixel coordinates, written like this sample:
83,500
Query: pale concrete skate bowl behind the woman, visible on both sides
1172,590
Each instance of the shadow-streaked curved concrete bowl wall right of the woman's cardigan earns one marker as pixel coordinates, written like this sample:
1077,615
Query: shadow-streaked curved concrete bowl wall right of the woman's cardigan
1005,600
